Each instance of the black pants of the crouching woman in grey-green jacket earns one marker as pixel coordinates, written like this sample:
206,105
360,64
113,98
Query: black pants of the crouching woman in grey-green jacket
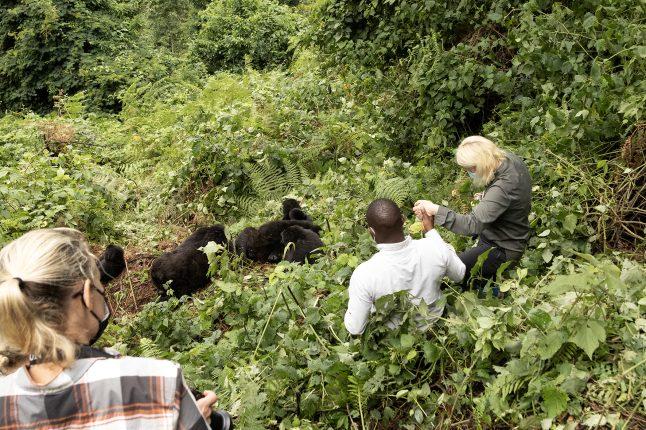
494,260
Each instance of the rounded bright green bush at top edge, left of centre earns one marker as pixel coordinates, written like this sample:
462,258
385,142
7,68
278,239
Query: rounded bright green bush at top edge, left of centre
232,30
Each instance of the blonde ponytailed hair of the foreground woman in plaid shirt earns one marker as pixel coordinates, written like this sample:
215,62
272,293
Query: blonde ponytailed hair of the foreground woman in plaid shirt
39,272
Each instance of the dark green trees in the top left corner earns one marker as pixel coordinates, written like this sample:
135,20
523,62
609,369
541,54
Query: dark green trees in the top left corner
44,44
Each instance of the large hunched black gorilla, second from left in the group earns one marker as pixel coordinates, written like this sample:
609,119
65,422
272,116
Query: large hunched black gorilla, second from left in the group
187,266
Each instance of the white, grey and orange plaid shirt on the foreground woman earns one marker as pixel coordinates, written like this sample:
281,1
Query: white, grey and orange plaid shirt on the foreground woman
102,393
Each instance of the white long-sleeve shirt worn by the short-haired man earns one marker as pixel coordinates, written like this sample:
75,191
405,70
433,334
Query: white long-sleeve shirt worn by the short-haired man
416,266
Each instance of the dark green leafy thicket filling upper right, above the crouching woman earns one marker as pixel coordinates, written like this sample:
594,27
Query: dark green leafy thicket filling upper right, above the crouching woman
450,67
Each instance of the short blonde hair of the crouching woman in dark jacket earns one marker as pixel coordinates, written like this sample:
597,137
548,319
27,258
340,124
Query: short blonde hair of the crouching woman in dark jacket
481,153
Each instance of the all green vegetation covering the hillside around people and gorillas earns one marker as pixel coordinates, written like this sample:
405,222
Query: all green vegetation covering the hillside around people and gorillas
215,111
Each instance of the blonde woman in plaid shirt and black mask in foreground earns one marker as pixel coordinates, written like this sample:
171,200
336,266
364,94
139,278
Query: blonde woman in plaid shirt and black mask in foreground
52,308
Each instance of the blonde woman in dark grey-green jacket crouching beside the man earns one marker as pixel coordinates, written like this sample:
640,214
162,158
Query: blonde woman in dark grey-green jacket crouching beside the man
500,219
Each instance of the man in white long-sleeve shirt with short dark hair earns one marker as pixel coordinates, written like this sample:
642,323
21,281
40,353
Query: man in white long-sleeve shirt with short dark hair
402,264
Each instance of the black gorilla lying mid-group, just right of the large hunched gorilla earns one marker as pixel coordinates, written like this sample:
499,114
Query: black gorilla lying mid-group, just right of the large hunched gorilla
264,244
